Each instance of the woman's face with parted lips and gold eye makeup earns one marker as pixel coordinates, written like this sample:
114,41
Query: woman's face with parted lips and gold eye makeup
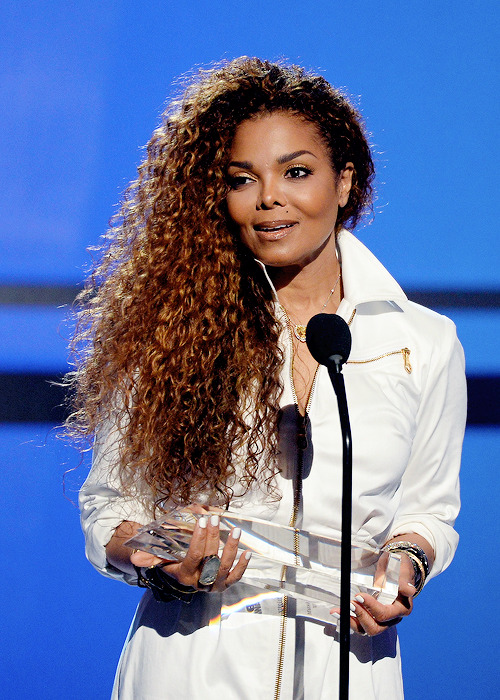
284,194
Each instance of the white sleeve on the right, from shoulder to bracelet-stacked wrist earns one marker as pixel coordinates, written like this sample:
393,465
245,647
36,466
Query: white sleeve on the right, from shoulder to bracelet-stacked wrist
430,499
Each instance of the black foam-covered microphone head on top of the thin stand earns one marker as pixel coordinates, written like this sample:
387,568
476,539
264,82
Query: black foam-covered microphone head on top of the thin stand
329,339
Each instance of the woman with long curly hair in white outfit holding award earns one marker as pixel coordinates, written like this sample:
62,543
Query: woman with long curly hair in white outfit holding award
201,390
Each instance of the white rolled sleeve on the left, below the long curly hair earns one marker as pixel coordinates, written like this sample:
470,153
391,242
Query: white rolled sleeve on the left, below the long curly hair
103,507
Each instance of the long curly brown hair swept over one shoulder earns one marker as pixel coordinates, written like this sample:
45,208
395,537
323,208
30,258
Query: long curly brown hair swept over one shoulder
176,340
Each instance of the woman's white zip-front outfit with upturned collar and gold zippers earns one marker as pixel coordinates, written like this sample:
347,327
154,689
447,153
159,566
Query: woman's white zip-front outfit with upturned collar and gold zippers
407,431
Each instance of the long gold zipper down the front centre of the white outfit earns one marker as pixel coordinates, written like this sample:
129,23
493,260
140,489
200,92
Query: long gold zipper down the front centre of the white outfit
297,497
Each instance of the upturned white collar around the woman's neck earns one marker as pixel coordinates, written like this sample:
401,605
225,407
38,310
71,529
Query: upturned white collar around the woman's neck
364,278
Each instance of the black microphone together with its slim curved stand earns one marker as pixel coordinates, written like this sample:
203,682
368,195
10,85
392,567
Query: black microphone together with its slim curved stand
329,341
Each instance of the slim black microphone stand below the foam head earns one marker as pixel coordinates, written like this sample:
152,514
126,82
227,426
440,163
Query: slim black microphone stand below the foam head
337,379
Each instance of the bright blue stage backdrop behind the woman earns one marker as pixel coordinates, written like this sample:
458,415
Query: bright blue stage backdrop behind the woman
82,87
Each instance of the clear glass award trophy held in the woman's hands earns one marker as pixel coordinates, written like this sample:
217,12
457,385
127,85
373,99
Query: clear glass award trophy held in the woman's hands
291,562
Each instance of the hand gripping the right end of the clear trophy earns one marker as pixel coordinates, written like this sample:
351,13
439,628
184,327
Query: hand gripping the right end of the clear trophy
369,616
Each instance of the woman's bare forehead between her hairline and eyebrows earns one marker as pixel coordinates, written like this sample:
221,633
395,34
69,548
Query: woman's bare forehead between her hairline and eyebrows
278,133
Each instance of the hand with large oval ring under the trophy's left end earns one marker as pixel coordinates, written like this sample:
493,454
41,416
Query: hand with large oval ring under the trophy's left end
204,542
